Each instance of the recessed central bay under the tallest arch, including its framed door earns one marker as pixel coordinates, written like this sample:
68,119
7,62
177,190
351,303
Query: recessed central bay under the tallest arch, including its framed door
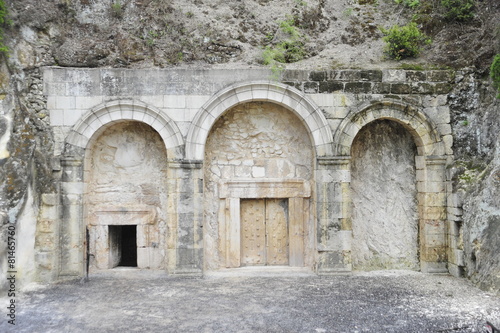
258,169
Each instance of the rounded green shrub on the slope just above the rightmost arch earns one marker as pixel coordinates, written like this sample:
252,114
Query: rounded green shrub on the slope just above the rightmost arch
404,41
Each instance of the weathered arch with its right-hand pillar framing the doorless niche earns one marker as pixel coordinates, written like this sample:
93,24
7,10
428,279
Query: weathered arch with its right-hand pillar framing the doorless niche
430,172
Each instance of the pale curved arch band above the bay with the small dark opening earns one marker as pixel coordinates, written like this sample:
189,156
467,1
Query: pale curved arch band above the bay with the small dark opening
104,115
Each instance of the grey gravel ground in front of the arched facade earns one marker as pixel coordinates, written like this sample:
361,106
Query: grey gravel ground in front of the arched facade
146,301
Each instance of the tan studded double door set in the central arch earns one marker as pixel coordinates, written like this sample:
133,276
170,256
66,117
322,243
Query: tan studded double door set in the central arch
264,232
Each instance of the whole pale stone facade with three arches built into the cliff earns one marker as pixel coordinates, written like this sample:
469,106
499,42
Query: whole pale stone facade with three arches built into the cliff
192,171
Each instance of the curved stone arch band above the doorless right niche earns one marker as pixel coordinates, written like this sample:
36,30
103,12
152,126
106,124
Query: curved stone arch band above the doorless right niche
424,132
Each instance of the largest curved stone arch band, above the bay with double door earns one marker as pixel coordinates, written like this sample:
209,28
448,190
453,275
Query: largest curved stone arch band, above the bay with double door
289,97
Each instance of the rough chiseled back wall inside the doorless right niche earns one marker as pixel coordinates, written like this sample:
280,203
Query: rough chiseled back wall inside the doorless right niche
385,219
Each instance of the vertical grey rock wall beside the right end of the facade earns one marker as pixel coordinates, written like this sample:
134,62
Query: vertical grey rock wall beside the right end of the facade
476,175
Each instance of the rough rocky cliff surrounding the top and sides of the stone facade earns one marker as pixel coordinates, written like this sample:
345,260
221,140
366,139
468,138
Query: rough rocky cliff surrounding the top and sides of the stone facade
213,33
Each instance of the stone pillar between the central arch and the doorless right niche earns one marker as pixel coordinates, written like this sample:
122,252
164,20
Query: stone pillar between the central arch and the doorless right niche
333,213
